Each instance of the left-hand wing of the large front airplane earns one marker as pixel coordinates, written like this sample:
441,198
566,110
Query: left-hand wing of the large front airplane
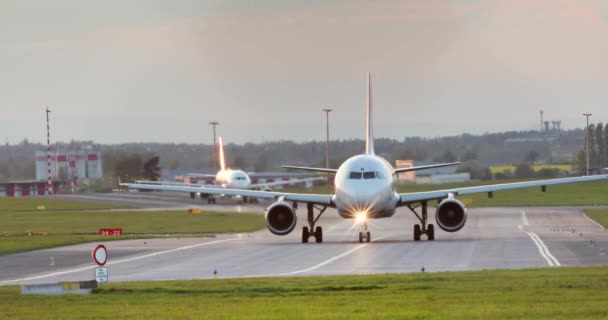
321,199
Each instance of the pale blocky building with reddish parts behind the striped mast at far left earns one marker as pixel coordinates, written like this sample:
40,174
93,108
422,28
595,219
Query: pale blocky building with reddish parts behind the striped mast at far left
70,164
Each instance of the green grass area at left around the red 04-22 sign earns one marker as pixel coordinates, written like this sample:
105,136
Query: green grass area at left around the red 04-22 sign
74,225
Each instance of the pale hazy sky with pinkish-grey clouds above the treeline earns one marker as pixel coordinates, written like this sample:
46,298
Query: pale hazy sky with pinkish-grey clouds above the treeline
159,71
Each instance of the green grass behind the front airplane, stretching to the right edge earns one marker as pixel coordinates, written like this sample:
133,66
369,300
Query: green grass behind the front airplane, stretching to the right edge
578,194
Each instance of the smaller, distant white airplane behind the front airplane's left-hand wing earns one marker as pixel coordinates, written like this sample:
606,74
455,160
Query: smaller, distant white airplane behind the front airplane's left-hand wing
226,178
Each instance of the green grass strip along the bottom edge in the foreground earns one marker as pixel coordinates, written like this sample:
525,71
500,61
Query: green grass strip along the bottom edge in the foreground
563,293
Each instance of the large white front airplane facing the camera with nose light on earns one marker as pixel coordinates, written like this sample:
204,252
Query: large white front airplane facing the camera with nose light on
365,188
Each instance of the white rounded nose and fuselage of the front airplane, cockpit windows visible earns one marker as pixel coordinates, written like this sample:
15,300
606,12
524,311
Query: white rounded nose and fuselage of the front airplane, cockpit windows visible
366,183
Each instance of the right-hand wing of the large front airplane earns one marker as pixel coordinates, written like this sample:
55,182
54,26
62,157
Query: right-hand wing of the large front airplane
407,198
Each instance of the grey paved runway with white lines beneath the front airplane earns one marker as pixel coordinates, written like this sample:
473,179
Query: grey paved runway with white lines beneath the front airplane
493,238
